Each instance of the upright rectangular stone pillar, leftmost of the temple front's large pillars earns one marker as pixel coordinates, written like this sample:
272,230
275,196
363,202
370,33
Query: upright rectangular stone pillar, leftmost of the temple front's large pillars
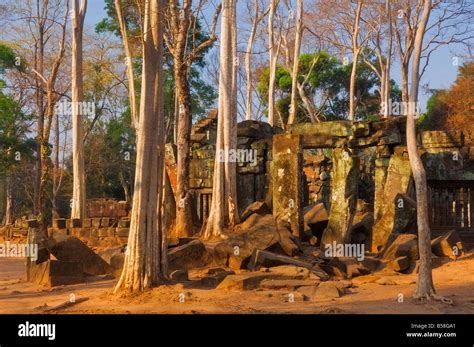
287,180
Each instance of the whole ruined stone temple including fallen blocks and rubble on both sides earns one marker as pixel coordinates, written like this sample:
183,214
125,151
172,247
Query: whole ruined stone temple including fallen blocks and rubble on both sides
315,184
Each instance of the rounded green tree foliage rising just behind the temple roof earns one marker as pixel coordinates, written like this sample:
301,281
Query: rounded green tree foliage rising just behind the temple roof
327,83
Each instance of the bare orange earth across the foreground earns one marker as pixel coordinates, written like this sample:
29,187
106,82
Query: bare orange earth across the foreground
454,280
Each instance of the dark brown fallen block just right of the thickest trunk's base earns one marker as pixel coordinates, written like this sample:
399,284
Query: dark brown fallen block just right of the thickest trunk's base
188,256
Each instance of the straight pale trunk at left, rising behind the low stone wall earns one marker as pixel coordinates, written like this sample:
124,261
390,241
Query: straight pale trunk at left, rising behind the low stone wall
78,190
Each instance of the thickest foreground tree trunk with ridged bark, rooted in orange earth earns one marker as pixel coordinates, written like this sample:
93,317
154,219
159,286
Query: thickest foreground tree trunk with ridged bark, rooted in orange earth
144,256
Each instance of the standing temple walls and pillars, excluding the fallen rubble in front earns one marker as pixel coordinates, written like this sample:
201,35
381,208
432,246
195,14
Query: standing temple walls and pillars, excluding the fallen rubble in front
350,169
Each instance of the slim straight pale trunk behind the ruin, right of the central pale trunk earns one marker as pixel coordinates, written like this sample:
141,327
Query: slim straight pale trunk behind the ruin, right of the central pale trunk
273,62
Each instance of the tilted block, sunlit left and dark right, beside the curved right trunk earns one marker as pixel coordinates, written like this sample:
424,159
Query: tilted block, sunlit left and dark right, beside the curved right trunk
396,219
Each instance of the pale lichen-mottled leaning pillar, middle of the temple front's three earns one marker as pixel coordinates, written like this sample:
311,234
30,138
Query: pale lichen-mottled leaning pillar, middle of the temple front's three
344,184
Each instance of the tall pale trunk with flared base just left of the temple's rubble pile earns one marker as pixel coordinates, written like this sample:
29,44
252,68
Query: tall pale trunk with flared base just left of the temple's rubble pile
224,199
